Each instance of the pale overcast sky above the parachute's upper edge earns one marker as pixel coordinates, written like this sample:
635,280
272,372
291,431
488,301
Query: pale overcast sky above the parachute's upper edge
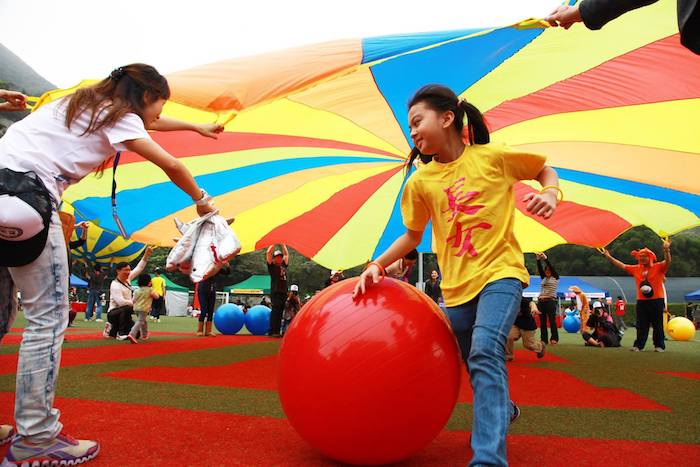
69,40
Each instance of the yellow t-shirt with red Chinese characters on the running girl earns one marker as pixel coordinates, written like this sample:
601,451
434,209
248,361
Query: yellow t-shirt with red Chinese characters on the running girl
471,204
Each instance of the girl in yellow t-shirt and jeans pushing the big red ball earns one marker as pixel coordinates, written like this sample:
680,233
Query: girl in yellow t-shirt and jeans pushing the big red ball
466,190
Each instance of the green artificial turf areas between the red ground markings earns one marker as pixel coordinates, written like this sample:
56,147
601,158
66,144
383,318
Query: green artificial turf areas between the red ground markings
604,368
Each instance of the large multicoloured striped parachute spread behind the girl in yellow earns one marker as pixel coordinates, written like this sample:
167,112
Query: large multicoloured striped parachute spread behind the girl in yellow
314,156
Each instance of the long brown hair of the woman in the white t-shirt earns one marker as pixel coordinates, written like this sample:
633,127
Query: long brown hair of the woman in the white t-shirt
128,88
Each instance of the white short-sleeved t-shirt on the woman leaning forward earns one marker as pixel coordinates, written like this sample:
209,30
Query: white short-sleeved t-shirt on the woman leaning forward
59,156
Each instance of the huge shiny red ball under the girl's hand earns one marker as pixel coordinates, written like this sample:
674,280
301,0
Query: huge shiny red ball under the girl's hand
371,381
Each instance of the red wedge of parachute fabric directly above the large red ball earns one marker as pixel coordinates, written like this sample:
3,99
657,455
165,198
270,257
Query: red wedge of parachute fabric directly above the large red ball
327,218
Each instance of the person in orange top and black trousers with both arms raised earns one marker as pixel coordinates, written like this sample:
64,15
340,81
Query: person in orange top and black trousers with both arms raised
649,277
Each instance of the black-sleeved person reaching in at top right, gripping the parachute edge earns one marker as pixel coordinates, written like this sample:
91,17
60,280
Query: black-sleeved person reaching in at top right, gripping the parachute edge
596,13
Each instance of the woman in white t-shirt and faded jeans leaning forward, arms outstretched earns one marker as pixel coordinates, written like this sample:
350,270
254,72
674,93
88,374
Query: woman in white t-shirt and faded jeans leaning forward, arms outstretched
61,143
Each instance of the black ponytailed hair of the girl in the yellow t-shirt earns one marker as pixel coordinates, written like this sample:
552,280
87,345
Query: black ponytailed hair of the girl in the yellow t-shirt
443,99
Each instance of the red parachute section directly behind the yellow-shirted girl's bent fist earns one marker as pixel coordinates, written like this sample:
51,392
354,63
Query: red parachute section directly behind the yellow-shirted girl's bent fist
576,223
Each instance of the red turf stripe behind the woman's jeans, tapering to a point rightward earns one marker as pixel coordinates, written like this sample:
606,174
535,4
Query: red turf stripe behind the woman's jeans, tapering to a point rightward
128,351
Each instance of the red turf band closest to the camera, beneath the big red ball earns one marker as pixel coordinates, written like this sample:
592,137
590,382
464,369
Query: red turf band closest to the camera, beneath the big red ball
209,438
